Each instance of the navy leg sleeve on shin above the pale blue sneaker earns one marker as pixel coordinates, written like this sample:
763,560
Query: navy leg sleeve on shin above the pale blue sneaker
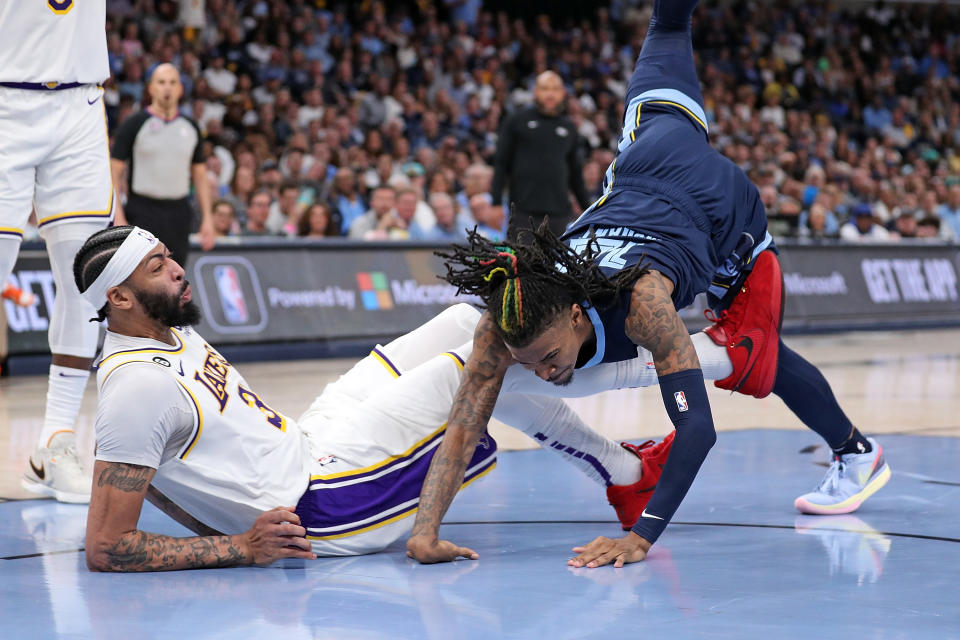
807,393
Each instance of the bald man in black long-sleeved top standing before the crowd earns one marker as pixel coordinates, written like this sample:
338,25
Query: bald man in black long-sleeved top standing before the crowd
537,154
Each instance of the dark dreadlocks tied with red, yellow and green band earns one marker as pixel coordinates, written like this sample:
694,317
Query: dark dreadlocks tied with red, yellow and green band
525,285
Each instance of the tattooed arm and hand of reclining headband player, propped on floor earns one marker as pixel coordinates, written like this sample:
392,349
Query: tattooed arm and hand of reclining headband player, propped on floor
115,544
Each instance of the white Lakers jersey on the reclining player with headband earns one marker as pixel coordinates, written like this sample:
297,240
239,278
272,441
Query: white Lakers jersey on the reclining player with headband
233,458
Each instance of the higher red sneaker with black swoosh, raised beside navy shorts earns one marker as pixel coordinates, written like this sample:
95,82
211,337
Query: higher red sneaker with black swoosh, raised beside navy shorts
750,329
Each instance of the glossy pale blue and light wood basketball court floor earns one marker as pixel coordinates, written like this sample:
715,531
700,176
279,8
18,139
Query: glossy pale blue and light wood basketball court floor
738,561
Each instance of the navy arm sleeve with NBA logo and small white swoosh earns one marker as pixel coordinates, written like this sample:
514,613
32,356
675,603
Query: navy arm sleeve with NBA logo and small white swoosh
685,397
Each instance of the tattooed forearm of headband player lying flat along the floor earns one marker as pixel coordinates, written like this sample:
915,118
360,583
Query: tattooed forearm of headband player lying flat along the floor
142,551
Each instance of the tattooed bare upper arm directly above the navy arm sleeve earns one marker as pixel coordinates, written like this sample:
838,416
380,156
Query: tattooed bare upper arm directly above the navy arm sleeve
653,323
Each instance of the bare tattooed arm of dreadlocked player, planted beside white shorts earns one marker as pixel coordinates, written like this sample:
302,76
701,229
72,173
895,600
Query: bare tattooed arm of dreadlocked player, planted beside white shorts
471,410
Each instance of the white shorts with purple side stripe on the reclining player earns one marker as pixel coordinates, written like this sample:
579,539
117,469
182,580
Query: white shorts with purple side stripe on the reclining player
373,434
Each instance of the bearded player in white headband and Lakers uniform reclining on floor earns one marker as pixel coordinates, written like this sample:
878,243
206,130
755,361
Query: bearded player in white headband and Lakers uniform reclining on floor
178,425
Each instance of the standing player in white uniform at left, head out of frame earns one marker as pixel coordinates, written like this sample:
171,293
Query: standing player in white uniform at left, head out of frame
54,158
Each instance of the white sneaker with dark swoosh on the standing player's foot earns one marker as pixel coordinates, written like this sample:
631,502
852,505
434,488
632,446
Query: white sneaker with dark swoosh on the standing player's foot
55,471
